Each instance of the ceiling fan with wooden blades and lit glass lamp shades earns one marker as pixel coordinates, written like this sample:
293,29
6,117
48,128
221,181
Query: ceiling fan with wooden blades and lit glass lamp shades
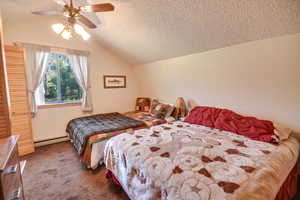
74,15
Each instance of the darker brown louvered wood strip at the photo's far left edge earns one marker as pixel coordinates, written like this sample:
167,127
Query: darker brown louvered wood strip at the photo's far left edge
4,104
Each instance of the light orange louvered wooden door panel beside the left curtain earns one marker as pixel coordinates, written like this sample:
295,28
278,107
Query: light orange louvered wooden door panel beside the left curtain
19,103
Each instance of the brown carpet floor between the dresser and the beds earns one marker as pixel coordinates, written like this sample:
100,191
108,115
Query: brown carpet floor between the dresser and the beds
54,173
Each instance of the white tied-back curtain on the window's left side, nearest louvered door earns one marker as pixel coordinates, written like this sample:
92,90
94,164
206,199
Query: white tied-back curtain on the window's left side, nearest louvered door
37,65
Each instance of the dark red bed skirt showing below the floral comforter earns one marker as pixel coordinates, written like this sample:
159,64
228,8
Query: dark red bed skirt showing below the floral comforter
286,192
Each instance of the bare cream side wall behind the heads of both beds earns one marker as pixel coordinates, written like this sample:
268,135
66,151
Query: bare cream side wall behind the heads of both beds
260,78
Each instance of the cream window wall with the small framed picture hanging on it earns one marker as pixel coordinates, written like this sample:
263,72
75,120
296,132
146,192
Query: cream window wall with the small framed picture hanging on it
51,123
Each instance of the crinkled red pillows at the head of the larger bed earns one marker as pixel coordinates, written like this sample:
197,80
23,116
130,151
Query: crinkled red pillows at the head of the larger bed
228,120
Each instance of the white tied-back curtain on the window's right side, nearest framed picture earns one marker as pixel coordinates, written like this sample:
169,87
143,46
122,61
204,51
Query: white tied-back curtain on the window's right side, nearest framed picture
80,67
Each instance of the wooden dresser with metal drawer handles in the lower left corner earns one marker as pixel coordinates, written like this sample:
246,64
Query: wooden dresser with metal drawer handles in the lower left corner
11,185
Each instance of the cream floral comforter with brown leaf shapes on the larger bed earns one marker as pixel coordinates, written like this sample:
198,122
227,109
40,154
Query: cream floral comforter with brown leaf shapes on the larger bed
184,161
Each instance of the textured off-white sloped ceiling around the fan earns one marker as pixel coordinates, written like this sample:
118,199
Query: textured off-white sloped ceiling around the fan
150,30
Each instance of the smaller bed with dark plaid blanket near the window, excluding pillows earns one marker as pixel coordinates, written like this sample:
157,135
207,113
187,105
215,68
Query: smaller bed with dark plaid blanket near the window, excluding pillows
90,134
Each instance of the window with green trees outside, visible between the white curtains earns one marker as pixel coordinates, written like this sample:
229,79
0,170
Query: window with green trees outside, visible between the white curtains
60,84
